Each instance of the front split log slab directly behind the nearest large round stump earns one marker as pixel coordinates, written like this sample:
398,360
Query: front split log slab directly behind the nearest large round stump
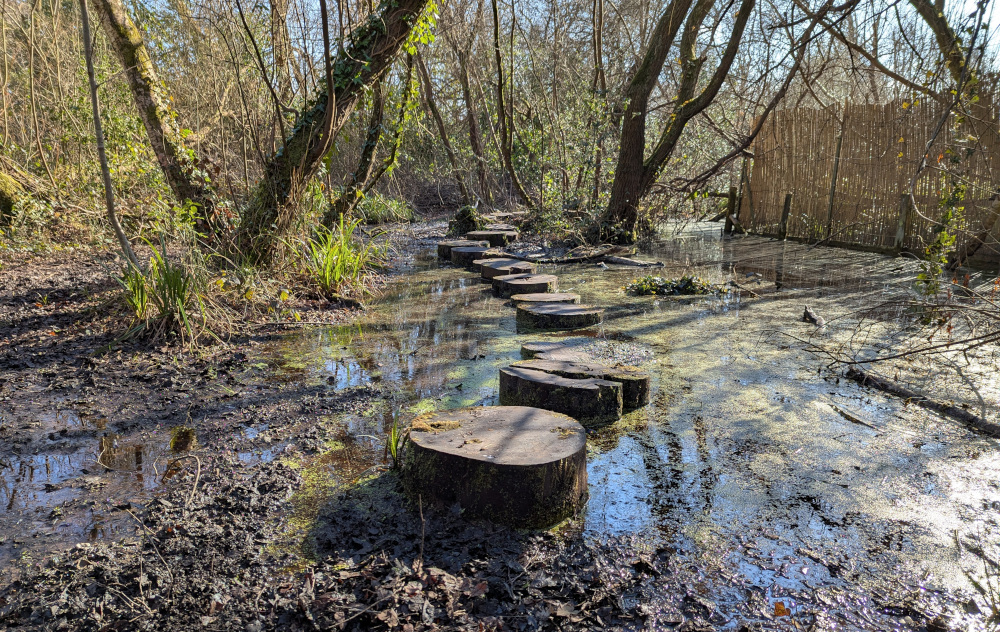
591,401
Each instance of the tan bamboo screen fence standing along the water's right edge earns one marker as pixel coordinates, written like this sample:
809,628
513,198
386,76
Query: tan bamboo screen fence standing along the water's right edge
880,149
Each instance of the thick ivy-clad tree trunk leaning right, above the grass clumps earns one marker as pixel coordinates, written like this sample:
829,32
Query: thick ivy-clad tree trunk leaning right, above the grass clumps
368,55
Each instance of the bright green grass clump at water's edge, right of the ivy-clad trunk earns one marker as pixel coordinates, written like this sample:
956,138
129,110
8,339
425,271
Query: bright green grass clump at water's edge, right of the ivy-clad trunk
333,259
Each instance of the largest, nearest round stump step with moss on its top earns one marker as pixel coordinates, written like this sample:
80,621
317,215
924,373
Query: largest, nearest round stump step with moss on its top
515,465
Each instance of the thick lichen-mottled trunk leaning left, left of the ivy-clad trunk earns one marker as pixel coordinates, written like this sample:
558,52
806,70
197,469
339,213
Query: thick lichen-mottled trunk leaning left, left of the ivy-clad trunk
184,173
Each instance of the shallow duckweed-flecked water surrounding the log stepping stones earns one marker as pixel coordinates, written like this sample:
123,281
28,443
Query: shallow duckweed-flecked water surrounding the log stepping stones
751,453
